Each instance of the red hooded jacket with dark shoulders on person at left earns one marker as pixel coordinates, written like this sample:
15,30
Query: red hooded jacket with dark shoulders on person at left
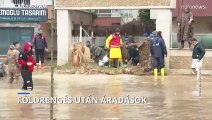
25,57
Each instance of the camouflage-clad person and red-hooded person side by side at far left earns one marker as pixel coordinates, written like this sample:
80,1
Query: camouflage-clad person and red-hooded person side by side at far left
21,63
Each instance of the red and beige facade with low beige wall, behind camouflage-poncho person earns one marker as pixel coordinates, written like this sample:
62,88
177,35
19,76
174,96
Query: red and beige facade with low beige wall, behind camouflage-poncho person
181,59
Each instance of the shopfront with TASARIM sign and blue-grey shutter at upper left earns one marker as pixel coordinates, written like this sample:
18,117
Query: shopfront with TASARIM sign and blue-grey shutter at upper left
19,20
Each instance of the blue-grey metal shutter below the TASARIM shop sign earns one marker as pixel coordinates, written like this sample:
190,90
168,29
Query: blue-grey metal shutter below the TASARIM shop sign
8,35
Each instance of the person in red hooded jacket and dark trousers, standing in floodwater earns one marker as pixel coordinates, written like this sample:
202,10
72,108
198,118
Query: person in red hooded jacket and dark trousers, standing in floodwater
27,63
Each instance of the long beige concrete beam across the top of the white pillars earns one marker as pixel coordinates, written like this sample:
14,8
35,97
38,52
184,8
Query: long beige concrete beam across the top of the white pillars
111,3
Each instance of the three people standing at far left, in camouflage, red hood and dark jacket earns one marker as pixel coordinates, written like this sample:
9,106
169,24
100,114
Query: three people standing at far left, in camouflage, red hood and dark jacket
23,62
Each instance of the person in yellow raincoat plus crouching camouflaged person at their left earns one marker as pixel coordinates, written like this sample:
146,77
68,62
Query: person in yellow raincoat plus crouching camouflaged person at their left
111,54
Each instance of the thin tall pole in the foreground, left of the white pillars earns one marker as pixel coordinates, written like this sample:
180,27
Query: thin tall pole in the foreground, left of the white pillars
52,64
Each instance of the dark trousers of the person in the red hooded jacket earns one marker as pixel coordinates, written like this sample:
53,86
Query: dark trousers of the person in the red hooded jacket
27,80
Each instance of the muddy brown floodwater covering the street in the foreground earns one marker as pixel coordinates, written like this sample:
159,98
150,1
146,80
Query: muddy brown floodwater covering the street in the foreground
168,98
